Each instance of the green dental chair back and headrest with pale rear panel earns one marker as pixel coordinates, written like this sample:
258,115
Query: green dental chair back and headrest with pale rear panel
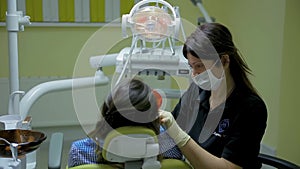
136,148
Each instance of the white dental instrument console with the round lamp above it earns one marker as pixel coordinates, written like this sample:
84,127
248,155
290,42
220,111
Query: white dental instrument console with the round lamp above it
155,26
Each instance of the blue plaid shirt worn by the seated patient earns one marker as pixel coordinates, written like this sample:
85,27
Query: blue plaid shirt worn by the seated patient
83,151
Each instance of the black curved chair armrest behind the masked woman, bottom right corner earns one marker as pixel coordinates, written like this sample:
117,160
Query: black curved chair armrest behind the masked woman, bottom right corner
276,162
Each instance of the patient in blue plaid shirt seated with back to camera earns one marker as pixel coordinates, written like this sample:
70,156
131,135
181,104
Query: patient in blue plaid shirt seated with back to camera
131,103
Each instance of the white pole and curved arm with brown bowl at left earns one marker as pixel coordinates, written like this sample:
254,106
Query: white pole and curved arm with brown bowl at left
17,123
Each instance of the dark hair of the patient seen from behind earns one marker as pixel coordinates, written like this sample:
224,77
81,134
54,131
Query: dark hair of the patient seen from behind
130,103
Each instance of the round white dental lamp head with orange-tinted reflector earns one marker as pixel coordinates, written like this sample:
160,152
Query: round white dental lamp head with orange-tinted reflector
152,23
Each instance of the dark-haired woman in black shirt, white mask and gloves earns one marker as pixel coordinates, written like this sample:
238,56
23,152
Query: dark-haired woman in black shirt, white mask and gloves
220,119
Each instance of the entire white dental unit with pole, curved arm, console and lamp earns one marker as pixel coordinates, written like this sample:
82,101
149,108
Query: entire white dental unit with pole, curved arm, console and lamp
155,50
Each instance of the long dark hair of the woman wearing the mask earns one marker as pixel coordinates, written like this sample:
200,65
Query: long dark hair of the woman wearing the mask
215,34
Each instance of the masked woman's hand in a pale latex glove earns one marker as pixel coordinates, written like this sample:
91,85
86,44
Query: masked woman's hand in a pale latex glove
179,136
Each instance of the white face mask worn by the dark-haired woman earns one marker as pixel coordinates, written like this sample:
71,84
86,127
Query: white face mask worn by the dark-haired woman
207,80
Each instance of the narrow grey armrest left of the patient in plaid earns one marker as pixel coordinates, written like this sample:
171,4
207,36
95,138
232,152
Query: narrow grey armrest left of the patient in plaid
55,151
